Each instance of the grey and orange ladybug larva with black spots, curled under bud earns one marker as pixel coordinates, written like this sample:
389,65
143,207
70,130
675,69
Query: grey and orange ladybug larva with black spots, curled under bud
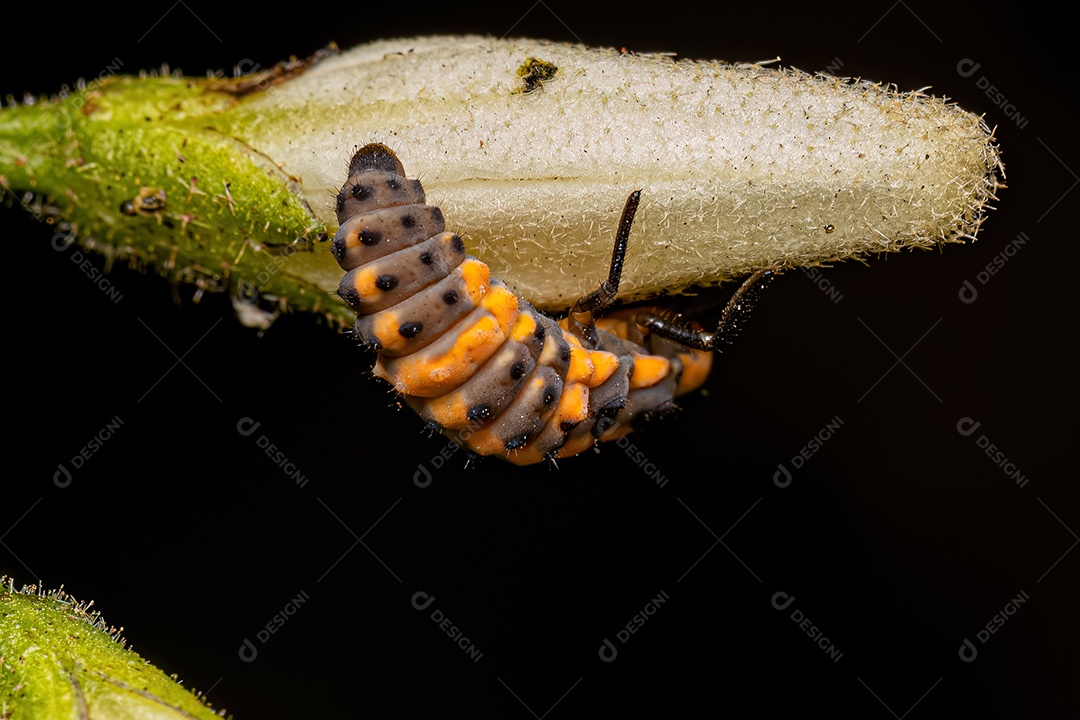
482,365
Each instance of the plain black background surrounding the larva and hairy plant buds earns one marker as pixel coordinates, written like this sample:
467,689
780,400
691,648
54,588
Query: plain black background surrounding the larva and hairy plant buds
899,539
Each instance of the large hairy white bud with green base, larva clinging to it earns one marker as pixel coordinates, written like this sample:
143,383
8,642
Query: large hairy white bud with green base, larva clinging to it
531,148
